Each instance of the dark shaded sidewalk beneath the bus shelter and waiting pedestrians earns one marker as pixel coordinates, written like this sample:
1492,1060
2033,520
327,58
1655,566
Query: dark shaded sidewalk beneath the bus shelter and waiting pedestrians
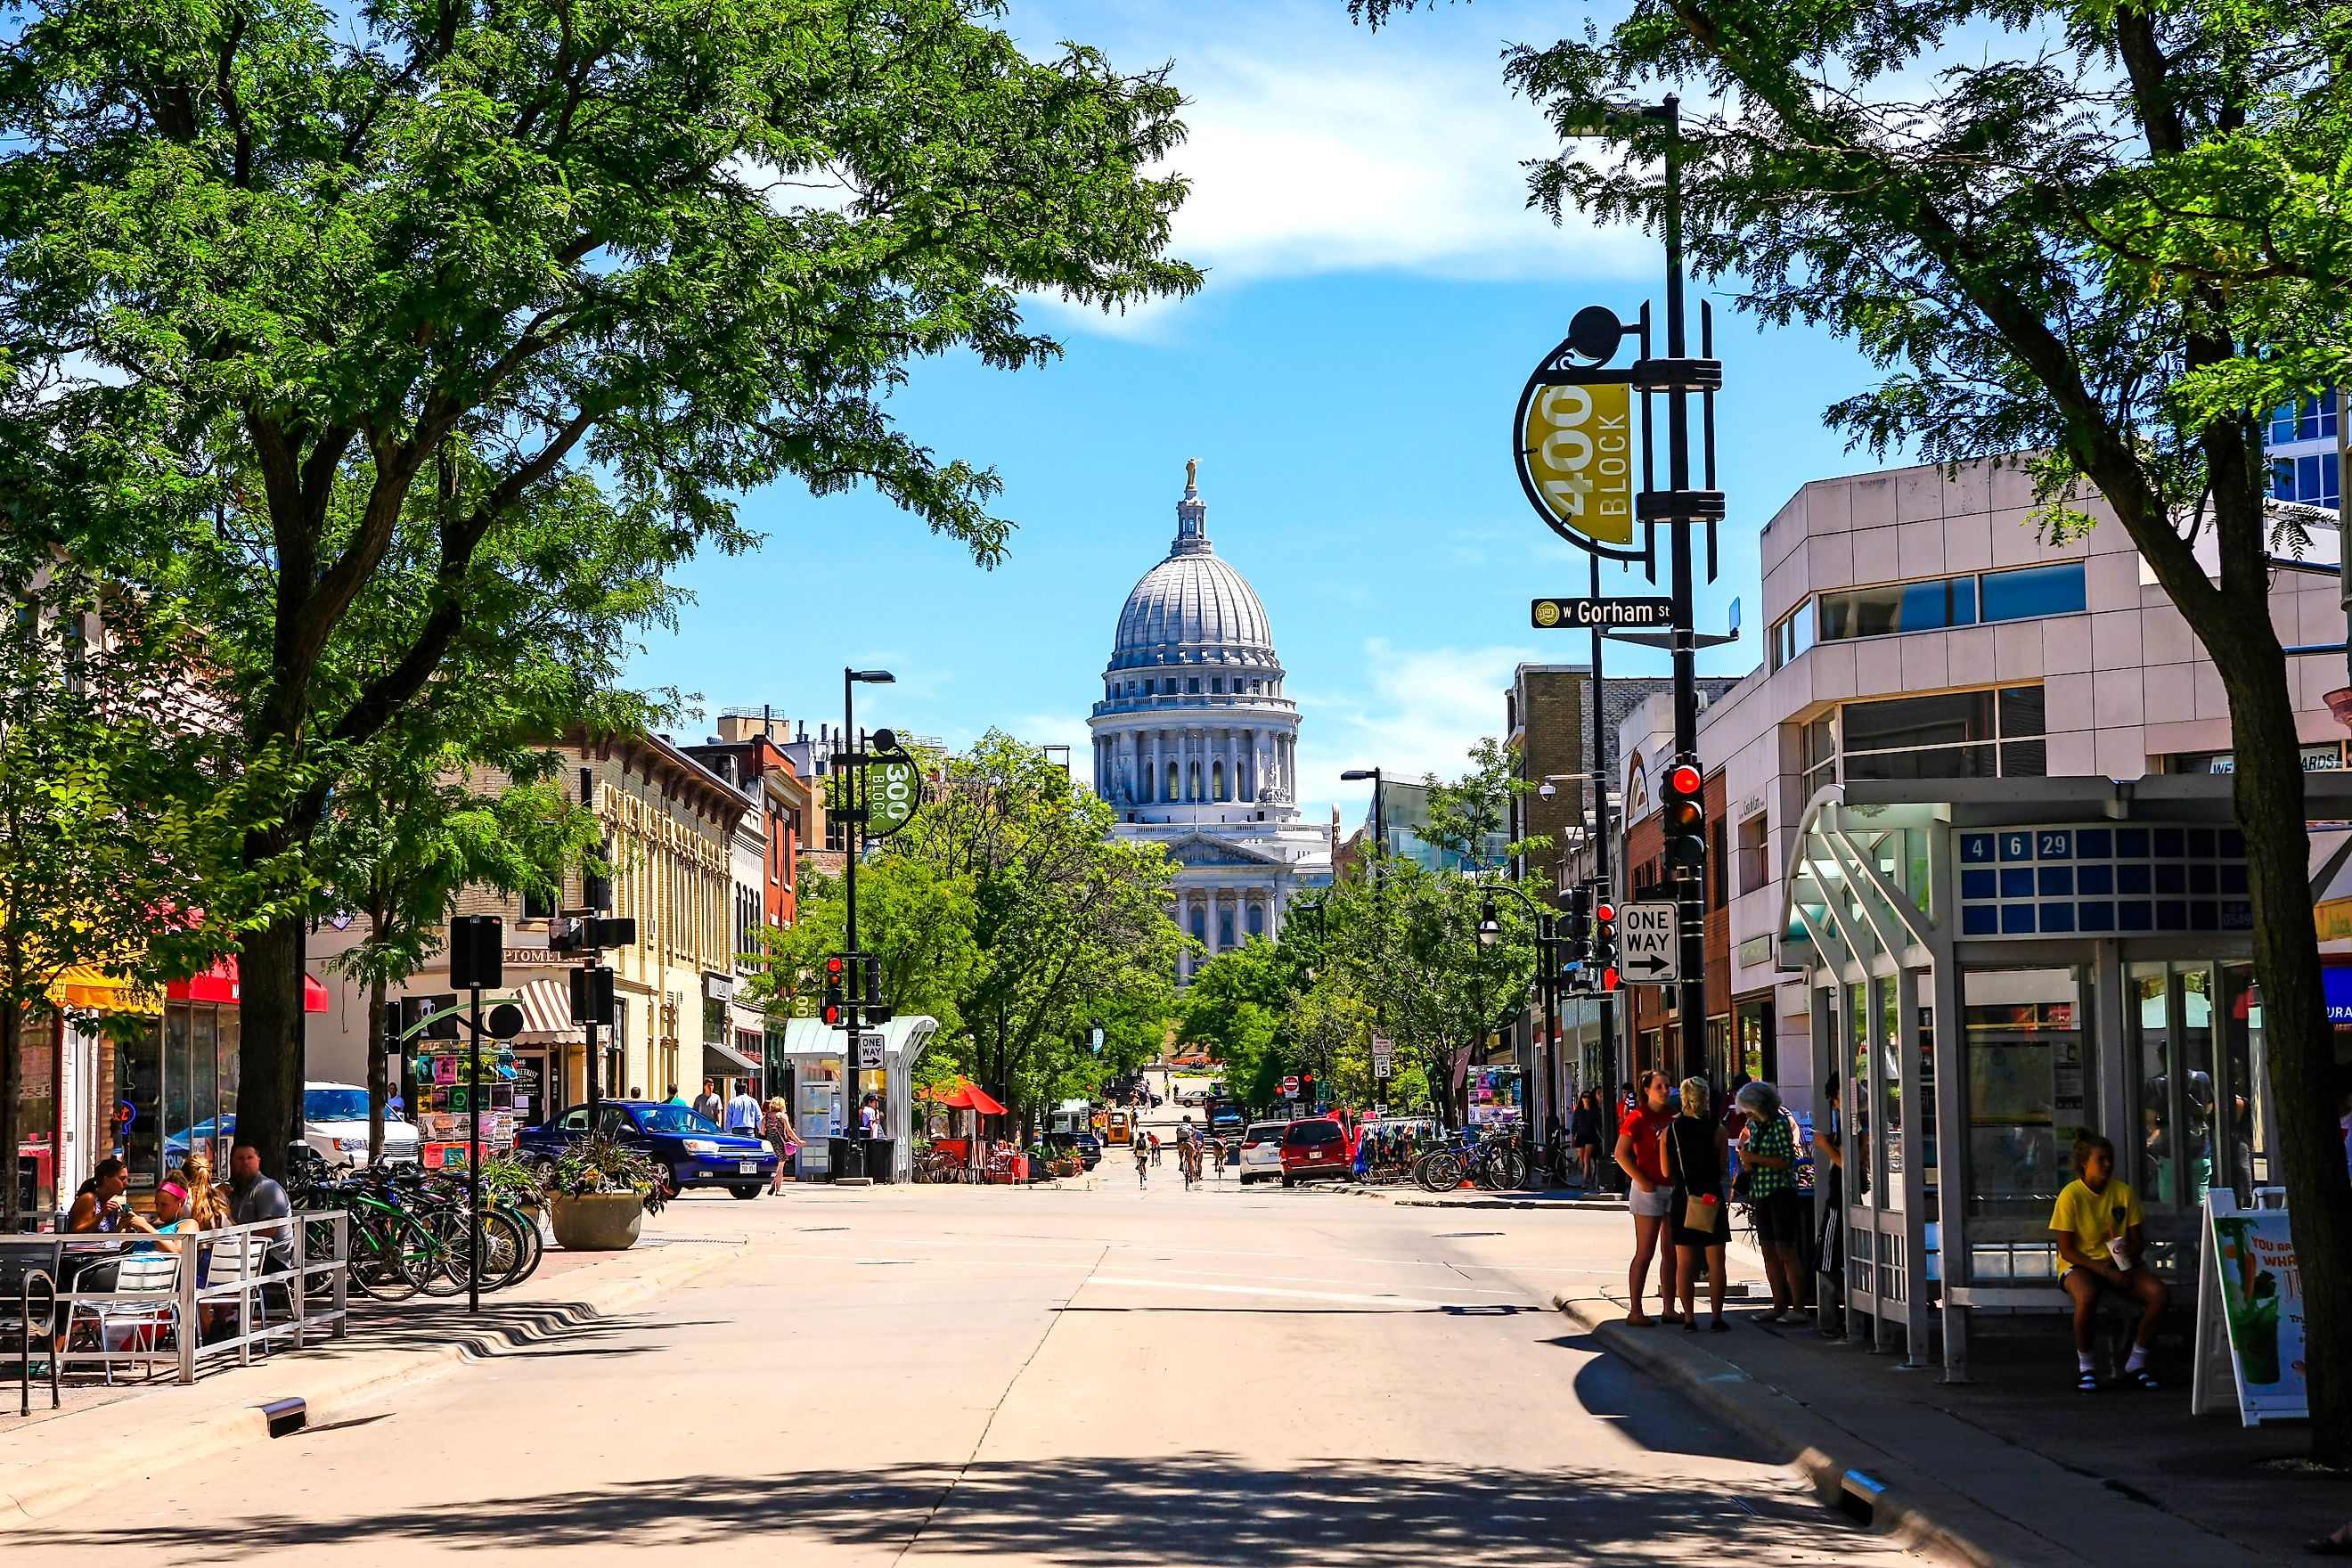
2014,1470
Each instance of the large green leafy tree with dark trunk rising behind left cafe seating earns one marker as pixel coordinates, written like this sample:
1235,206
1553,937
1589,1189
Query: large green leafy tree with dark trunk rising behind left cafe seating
269,274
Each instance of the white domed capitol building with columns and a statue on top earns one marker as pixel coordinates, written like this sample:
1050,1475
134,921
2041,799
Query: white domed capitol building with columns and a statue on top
1198,749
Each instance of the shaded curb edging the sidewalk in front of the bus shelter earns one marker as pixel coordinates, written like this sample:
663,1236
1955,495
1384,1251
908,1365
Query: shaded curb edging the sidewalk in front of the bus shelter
1904,1503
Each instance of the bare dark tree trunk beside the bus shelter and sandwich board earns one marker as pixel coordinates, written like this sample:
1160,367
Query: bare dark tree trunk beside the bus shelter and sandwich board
2271,812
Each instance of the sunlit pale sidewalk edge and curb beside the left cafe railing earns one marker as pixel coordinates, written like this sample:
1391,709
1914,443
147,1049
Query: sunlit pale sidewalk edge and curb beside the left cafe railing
88,1454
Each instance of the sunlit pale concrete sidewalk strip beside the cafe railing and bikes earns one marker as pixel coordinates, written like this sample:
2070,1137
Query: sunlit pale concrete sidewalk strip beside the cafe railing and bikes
91,1449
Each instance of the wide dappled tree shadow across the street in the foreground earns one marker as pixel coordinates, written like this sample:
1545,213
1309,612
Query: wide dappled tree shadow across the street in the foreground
1203,1508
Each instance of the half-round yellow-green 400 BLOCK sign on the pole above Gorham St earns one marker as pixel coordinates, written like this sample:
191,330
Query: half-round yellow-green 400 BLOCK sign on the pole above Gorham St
1572,443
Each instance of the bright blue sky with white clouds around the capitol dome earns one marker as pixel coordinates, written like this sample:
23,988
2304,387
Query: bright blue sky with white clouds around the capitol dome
1377,295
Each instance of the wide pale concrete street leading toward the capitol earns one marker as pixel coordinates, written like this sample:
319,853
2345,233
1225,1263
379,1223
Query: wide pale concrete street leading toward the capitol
1097,1376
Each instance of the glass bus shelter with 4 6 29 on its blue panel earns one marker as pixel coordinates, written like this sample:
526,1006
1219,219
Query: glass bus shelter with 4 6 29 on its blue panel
1993,967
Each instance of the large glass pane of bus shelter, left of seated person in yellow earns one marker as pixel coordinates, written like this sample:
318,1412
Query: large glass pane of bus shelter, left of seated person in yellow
2029,1085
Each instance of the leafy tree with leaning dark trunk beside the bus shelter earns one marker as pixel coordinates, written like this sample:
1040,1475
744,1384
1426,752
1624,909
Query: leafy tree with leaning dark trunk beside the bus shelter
2111,236
